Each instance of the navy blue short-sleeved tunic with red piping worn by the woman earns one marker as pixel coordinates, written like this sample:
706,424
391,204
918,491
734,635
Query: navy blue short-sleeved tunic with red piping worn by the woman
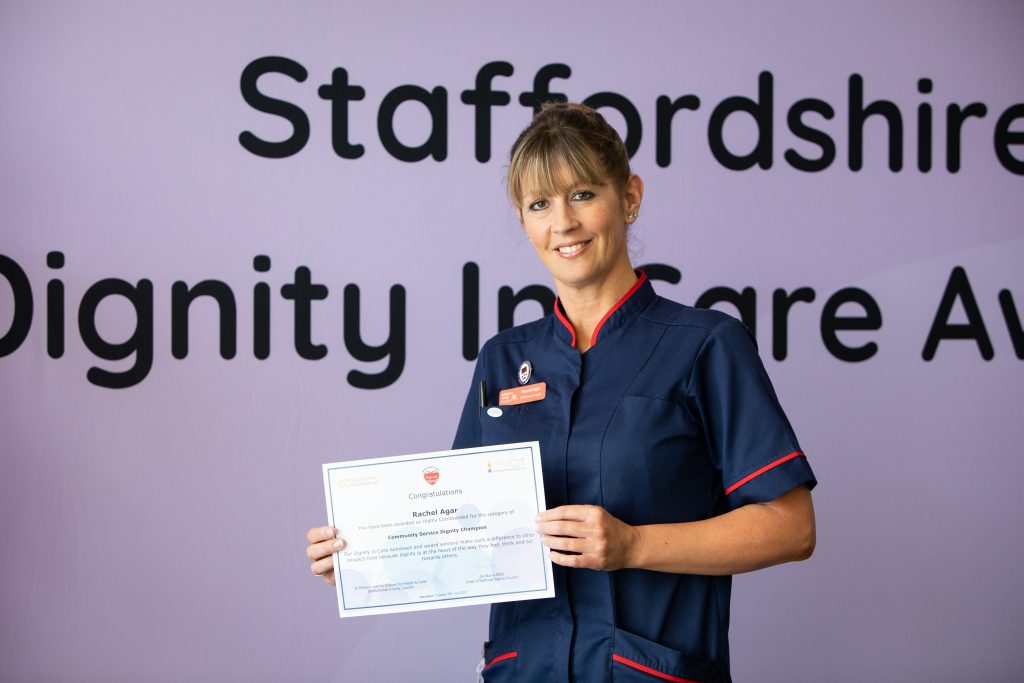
669,417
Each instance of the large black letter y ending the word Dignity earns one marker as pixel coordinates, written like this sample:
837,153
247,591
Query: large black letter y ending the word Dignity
394,348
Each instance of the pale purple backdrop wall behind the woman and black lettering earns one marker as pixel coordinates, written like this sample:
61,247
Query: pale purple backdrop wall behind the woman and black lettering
156,532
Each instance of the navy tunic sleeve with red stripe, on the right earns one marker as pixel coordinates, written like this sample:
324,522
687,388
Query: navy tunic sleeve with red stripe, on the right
749,438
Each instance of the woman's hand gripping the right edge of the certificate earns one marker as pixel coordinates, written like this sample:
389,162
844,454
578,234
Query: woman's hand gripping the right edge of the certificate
601,541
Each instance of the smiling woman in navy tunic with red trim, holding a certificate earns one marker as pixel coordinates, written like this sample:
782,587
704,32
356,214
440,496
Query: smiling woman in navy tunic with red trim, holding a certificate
668,462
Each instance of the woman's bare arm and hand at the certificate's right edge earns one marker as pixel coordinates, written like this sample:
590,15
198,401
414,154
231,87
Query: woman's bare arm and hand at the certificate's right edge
749,538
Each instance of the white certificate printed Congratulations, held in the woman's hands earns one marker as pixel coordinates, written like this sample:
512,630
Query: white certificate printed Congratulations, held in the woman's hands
439,530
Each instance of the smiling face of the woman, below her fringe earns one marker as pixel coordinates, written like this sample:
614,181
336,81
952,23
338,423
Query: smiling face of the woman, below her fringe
580,232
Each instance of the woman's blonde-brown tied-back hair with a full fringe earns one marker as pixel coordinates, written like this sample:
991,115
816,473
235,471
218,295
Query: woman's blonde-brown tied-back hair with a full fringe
567,139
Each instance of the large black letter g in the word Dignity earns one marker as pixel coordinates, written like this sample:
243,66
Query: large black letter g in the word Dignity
140,343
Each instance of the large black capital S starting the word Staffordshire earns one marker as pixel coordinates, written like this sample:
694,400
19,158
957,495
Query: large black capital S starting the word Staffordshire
292,113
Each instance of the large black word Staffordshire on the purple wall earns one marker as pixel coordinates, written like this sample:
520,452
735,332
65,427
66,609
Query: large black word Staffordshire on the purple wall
809,121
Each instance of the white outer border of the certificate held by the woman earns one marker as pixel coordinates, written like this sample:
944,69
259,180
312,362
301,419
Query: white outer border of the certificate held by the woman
533,447
